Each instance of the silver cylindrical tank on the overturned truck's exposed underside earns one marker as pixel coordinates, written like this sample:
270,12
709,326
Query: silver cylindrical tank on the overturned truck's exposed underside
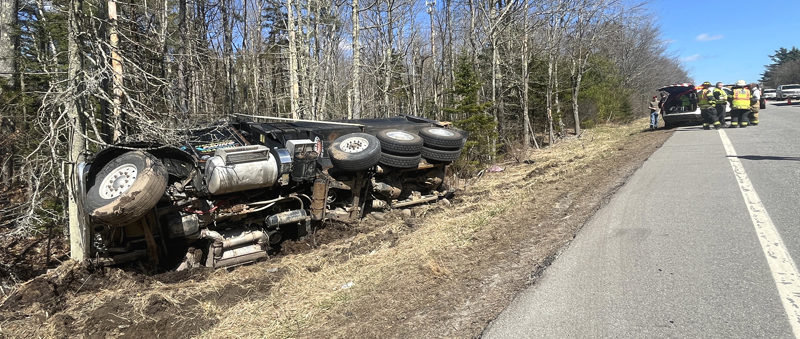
240,168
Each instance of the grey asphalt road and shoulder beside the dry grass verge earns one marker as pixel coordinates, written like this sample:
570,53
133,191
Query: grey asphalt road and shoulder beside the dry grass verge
679,250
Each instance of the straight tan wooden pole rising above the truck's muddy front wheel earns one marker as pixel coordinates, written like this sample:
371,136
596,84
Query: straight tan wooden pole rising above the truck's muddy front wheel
116,76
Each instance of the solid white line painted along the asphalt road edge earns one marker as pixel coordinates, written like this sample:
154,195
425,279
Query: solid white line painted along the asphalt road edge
784,271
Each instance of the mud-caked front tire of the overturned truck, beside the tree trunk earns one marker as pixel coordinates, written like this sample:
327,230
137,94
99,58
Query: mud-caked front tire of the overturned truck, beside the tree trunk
126,188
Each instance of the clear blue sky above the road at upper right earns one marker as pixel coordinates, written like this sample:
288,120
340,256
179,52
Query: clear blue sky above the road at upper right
727,40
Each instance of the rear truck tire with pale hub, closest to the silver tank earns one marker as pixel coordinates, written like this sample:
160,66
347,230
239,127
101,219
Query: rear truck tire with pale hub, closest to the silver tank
355,152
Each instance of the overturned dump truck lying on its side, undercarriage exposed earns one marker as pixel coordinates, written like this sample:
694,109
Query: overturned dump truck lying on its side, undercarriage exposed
232,193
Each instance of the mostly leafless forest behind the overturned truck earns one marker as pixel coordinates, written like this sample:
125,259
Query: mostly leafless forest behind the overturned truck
79,75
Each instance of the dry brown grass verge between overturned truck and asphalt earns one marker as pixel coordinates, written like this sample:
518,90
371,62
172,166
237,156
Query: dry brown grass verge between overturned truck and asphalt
445,272
